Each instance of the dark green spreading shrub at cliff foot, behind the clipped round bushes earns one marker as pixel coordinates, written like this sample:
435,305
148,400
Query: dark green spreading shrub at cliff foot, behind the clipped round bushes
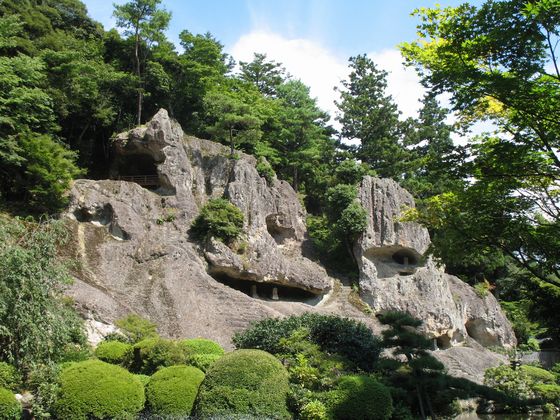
348,338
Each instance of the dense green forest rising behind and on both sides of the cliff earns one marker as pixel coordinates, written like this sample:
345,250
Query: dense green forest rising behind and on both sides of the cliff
492,203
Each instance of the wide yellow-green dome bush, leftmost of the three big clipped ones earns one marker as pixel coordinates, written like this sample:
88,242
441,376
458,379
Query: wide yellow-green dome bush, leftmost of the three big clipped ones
97,390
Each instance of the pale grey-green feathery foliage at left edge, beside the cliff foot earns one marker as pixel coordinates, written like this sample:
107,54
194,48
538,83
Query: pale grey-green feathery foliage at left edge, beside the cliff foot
32,277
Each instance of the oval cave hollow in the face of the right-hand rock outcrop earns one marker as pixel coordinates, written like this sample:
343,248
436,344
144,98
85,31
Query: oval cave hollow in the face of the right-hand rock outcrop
394,260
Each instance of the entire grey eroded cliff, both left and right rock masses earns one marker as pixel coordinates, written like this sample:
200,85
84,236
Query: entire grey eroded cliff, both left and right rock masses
136,254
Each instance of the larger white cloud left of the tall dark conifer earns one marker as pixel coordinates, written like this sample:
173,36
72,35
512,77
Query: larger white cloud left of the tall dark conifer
304,59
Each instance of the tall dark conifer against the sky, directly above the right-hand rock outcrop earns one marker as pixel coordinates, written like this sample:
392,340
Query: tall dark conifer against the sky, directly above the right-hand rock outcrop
370,116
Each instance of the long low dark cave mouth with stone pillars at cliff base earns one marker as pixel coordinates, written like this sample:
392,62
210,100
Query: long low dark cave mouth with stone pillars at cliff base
265,291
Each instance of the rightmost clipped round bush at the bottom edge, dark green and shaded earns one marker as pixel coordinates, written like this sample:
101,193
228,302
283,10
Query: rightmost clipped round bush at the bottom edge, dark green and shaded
359,397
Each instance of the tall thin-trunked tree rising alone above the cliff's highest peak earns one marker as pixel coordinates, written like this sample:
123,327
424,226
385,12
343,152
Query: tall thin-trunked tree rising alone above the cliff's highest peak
145,22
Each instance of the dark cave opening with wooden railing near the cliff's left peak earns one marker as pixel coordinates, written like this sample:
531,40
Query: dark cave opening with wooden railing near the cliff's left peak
138,168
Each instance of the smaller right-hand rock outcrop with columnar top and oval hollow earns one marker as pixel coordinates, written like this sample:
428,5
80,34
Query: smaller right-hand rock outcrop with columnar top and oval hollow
395,275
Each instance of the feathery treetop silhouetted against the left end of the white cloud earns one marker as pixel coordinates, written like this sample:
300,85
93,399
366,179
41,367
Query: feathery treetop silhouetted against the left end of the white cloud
266,75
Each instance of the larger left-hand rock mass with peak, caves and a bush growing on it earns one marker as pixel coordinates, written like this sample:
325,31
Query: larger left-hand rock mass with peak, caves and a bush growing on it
136,254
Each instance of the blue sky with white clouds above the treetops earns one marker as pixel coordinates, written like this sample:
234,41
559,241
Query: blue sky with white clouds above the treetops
312,38
